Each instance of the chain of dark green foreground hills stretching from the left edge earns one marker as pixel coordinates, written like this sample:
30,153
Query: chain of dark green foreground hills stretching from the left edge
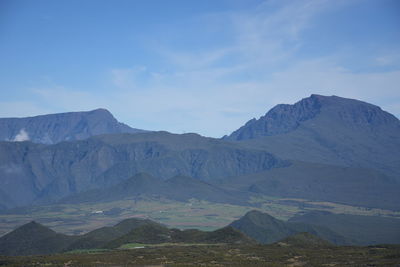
34,238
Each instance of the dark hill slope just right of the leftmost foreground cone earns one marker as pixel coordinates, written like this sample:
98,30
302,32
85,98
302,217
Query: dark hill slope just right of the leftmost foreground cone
100,237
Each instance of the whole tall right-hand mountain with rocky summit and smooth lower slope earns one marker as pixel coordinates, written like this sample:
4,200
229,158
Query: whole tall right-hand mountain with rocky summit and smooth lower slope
330,130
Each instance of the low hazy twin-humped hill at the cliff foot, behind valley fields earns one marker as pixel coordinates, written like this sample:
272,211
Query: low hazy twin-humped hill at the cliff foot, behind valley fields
180,188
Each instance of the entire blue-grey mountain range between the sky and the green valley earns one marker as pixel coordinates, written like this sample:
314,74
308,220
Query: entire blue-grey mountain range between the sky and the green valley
322,148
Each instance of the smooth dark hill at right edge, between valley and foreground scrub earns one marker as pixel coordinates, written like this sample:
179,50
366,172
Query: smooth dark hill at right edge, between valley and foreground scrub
363,230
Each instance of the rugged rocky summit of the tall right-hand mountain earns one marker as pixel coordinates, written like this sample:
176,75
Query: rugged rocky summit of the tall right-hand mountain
284,118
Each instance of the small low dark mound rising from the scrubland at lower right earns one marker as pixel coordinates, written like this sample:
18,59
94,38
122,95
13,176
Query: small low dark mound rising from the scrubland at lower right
304,240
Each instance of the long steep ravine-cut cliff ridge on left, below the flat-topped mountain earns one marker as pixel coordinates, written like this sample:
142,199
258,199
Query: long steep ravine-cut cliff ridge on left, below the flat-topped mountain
41,173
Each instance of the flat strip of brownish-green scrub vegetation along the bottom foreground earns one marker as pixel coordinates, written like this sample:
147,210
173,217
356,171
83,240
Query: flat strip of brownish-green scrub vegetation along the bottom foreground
217,255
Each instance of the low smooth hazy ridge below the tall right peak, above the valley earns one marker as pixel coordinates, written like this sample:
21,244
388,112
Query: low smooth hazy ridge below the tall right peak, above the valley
322,182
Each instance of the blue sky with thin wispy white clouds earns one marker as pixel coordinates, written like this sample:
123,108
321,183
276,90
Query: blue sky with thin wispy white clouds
204,66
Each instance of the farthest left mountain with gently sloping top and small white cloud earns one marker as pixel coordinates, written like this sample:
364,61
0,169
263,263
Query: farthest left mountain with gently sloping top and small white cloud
55,128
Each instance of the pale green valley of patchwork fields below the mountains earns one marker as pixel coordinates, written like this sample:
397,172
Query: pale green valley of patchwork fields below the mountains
198,214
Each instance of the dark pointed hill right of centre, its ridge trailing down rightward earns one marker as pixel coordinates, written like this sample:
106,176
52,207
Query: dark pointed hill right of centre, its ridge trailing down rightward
267,229
